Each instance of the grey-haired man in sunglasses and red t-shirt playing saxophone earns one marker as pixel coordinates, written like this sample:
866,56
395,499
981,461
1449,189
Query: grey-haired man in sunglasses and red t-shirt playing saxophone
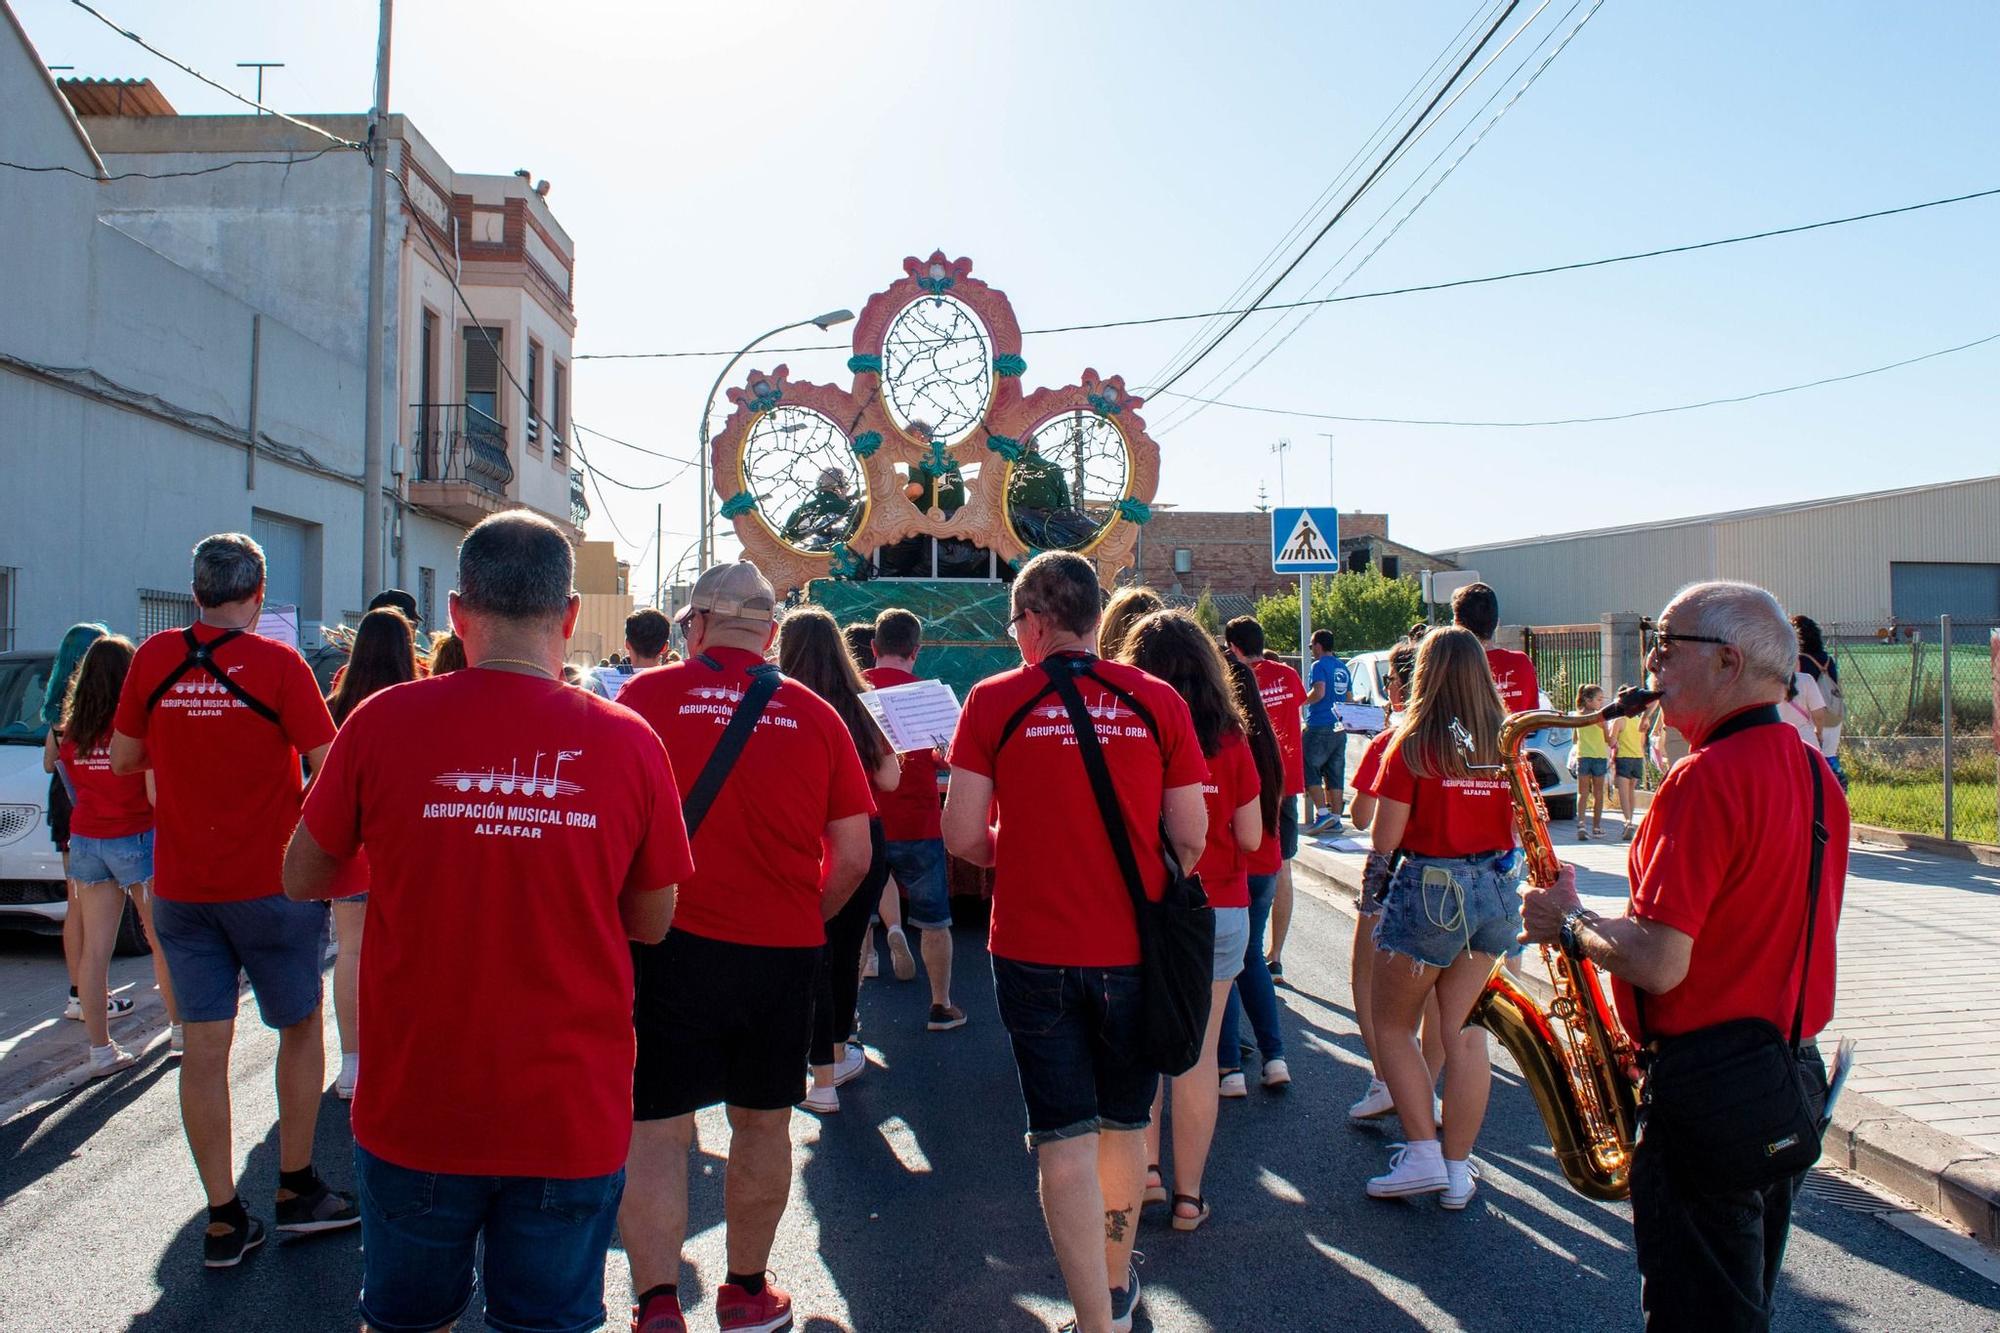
1717,930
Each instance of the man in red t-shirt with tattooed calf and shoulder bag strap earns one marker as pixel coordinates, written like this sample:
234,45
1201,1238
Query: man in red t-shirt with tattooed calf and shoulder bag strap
1065,942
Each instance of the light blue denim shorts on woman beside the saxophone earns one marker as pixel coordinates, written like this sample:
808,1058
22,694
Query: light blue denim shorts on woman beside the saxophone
1441,908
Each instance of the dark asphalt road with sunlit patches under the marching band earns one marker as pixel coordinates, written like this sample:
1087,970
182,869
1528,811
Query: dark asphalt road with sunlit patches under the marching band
915,1208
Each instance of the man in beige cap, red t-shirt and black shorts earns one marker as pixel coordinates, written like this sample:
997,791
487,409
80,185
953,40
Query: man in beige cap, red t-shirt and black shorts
725,1004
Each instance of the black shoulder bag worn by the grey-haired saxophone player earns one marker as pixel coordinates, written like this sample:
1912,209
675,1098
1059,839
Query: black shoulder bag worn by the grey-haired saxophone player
1727,1104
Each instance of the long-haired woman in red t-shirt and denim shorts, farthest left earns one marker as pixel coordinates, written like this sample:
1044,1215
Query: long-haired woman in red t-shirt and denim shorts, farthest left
111,844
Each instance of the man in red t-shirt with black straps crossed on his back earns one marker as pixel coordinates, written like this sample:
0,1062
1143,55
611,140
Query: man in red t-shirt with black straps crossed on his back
223,720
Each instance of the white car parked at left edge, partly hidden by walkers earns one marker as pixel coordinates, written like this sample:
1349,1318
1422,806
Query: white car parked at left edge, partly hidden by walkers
33,894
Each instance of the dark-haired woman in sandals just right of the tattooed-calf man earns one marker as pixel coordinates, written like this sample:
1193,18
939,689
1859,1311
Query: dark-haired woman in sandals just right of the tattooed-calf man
1175,649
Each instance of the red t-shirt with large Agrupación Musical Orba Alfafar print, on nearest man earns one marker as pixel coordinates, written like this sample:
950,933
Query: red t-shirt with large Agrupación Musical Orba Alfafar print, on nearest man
503,814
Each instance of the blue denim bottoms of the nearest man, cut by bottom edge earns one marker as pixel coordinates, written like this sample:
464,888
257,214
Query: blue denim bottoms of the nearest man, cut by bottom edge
543,1260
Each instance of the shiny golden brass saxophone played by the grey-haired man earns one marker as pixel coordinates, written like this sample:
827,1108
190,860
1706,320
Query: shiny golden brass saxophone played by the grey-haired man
1575,1056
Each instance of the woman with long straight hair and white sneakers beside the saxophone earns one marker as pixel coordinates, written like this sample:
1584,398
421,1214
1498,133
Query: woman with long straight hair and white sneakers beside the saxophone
1447,820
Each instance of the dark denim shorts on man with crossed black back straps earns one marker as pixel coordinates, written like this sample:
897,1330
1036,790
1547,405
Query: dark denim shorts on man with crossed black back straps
209,948
